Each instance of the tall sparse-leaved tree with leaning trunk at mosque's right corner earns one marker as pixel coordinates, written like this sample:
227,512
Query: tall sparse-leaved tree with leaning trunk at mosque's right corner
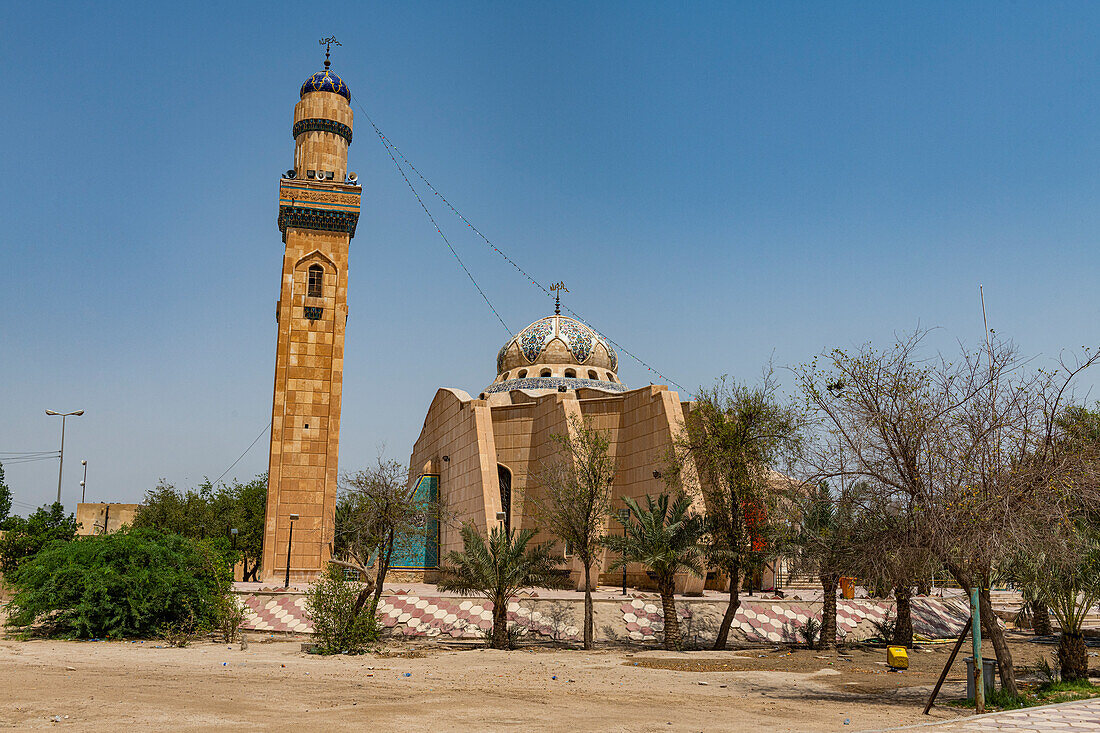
735,436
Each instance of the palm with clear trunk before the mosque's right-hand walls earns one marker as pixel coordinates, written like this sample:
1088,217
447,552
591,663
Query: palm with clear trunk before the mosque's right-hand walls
665,538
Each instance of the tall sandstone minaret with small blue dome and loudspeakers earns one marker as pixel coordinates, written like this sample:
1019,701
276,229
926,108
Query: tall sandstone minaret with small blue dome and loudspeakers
317,214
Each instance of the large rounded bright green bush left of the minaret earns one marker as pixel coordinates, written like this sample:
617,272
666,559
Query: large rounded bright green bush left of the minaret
128,584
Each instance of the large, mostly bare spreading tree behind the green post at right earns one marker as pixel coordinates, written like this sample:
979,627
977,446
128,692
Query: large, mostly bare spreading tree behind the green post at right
970,443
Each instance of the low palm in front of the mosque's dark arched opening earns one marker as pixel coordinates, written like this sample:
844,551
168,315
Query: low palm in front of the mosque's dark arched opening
498,570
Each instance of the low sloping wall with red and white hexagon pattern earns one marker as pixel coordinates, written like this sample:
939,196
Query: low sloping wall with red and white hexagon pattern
635,619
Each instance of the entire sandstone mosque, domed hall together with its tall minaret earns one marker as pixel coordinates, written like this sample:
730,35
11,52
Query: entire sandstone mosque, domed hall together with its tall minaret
480,455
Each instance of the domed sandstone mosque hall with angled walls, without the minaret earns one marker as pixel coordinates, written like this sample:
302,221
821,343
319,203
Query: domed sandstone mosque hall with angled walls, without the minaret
483,455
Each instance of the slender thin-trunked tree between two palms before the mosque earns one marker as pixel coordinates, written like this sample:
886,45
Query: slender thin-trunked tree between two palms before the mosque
576,500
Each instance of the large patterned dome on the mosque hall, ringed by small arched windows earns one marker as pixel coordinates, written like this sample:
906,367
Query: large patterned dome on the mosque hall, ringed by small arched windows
557,352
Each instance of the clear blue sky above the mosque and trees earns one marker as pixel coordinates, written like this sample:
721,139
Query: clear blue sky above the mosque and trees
716,187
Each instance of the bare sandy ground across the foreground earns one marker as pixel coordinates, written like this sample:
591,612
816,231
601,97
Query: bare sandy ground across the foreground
96,686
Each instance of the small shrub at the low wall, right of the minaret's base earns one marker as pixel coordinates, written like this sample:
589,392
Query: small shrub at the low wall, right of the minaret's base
343,623
